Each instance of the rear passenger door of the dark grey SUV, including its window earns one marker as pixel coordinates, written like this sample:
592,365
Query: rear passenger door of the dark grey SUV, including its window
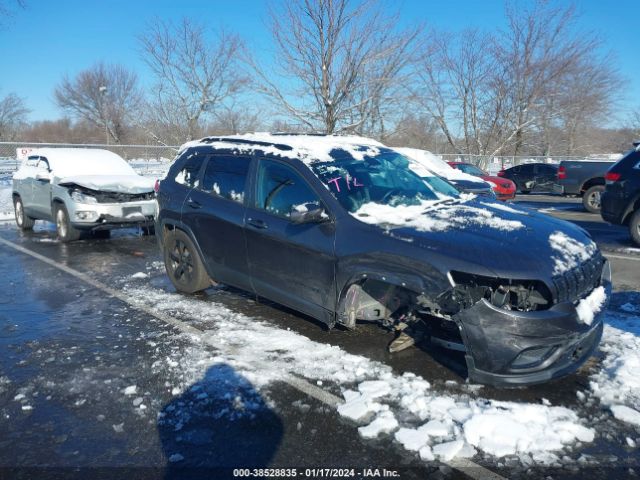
214,210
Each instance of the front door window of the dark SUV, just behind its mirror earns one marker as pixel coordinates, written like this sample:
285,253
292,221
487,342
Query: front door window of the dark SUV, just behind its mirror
281,190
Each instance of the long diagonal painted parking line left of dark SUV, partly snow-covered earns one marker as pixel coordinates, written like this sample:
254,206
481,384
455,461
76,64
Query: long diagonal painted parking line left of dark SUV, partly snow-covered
466,466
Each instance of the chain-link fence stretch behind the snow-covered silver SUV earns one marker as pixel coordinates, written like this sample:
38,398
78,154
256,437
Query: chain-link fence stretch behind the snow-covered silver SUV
152,160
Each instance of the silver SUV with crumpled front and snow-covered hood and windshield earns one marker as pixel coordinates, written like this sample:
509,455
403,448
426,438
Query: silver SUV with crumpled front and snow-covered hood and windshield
82,189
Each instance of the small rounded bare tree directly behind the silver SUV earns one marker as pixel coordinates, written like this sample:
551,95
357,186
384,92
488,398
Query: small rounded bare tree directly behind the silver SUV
105,95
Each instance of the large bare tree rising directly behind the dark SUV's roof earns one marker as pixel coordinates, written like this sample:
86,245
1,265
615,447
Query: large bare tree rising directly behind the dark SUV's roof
337,63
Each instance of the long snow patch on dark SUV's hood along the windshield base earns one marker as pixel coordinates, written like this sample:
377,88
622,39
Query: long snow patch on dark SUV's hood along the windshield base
428,216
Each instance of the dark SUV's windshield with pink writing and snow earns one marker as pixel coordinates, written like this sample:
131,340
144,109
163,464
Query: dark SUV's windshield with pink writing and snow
383,178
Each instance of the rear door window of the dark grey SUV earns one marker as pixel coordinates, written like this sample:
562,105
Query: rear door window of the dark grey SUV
226,175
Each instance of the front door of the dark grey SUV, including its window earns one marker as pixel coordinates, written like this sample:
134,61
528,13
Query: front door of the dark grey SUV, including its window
292,264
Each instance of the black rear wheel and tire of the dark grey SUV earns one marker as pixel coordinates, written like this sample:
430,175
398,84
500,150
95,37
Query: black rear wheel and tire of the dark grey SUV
183,264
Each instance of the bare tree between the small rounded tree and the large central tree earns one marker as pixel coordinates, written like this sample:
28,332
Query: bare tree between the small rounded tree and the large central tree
195,75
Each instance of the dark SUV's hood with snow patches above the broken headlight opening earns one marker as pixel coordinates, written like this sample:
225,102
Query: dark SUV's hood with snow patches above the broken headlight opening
512,242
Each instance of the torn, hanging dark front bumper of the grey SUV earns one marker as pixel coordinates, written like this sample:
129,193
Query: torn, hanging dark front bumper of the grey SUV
512,348
